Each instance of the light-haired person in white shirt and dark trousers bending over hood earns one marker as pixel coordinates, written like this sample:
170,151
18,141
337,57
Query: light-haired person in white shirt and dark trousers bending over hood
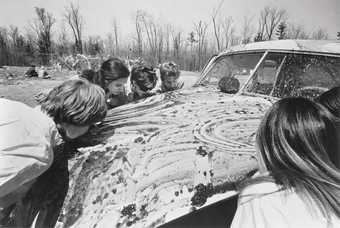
33,171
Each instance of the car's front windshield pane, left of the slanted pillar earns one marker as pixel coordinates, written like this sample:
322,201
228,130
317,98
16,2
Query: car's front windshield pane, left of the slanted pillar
238,66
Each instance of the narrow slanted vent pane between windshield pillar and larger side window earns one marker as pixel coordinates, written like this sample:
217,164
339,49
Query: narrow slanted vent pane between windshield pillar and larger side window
264,79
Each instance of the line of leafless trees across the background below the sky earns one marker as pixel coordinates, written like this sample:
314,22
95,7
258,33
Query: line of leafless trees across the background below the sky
153,41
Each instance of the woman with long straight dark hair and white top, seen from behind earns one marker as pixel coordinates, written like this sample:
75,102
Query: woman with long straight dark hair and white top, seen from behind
299,184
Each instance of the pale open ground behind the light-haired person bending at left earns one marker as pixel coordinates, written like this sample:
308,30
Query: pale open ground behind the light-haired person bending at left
15,86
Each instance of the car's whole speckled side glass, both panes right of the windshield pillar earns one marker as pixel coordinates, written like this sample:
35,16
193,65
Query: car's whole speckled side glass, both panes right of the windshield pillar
291,74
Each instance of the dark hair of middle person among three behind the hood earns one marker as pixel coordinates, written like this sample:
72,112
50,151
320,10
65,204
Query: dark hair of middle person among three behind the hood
137,73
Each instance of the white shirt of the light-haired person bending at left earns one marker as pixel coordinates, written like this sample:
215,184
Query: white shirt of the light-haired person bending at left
26,140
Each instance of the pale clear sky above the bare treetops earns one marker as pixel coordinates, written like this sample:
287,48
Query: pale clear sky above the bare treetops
100,14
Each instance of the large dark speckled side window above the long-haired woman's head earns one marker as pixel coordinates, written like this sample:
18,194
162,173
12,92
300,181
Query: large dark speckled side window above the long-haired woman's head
307,75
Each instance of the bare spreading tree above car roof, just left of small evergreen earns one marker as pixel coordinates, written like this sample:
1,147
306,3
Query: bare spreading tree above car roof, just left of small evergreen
270,18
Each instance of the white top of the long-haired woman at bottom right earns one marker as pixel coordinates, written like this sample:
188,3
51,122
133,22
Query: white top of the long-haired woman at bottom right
264,205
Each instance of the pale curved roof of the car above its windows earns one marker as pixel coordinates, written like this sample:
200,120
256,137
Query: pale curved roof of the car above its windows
314,46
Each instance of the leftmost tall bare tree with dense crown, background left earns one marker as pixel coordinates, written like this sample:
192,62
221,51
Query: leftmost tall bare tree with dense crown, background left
42,26
